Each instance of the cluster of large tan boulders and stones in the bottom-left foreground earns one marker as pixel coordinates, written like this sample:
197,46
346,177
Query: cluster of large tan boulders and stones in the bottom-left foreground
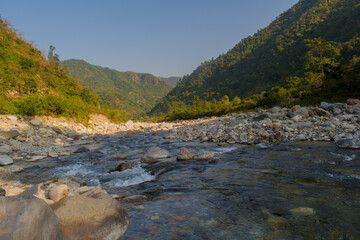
61,208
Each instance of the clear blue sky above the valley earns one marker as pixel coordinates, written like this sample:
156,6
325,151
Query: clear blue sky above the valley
162,37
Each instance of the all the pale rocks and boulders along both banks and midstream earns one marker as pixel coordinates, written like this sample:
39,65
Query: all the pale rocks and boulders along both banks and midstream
24,139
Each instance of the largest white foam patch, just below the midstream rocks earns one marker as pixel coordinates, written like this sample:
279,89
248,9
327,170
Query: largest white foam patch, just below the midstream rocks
129,177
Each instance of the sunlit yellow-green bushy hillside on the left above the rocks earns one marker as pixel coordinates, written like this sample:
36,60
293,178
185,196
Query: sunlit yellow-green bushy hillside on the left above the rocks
30,84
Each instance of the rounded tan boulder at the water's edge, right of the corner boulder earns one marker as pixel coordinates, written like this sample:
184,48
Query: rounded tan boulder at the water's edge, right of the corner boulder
83,217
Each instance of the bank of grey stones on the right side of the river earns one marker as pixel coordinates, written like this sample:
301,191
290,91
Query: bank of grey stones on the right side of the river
339,122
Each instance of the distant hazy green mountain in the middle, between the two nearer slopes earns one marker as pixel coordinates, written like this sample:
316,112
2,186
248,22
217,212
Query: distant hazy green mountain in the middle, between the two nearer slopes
135,93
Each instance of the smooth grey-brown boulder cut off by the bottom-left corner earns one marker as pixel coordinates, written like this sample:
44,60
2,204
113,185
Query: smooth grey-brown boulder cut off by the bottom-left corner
27,218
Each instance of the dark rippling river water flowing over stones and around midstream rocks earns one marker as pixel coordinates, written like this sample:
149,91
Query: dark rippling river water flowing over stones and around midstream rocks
304,190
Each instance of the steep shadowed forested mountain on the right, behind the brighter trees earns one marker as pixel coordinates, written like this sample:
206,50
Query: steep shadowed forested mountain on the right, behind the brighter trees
271,55
